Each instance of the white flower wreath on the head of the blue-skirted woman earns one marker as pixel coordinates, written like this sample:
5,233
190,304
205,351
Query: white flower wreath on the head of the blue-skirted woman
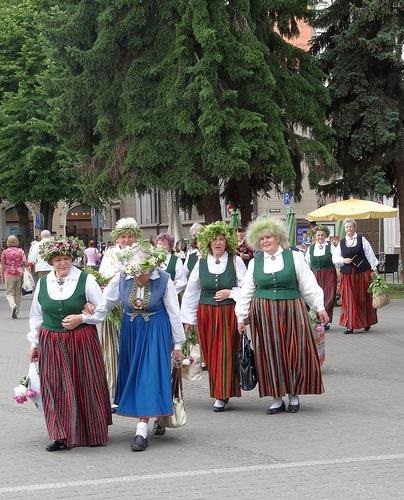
141,258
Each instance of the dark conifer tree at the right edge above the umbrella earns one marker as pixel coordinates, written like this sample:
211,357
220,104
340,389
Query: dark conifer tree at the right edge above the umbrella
361,49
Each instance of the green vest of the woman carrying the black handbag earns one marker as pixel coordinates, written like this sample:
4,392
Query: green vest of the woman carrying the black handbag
279,285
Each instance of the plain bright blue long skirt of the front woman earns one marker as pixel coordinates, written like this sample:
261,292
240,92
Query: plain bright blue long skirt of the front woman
144,367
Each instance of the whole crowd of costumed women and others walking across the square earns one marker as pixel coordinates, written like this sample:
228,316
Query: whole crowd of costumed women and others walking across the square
107,336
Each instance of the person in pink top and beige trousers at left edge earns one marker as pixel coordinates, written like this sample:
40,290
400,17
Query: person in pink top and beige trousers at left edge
13,261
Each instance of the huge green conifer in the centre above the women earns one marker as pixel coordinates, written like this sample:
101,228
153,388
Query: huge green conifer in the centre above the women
190,95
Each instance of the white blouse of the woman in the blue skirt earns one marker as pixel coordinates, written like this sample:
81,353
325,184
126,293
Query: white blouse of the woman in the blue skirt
170,300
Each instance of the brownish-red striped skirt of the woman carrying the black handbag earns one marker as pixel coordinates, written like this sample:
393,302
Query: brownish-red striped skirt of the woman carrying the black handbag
285,350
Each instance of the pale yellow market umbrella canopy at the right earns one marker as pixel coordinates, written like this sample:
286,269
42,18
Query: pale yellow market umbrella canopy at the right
357,209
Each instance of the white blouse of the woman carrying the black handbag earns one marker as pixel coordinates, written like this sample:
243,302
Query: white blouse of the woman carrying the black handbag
311,292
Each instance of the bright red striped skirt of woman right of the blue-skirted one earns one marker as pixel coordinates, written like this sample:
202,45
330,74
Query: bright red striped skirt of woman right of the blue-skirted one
220,340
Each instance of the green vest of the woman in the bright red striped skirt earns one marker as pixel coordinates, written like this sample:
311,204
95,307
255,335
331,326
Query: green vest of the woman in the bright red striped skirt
211,283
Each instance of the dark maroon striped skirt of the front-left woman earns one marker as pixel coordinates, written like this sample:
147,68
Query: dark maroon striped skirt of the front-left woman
73,387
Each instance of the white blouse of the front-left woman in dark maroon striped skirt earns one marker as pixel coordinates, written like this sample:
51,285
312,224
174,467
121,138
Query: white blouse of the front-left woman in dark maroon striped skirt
58,292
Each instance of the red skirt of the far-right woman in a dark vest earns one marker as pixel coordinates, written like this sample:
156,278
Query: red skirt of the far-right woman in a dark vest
356,311
